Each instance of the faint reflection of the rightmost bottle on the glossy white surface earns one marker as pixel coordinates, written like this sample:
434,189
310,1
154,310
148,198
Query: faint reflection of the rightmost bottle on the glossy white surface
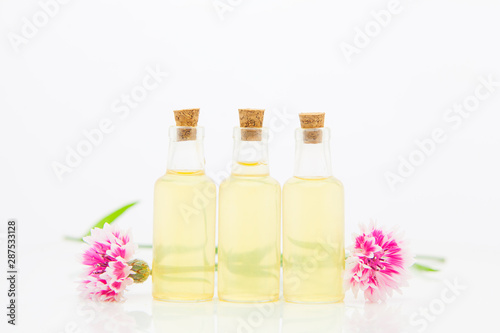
305,318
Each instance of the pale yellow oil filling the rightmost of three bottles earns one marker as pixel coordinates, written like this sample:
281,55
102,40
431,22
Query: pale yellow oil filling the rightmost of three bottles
313,240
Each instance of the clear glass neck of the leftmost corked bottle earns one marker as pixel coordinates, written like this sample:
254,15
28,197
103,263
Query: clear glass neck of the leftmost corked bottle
185,152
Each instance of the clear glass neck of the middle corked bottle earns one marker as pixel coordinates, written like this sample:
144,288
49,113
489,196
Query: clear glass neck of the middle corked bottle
250,155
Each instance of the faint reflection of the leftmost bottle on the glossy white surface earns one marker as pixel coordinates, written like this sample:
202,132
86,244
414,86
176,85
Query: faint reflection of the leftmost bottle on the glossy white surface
183,317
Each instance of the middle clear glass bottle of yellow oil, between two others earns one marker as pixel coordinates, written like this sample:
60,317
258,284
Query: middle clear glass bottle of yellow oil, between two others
249,224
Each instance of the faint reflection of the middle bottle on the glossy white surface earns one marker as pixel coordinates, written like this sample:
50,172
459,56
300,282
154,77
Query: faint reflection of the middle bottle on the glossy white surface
248,318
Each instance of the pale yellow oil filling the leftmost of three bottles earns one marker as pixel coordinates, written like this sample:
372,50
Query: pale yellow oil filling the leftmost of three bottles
184,237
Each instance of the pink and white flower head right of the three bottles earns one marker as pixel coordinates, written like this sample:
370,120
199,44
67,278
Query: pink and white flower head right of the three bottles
378,263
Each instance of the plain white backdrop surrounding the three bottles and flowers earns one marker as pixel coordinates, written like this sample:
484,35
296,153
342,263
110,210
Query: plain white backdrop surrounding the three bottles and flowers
285,56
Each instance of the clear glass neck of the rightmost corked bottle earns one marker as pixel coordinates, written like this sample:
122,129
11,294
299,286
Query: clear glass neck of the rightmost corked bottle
312,153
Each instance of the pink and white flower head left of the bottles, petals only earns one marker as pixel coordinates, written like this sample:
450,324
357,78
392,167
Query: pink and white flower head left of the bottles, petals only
108,271
